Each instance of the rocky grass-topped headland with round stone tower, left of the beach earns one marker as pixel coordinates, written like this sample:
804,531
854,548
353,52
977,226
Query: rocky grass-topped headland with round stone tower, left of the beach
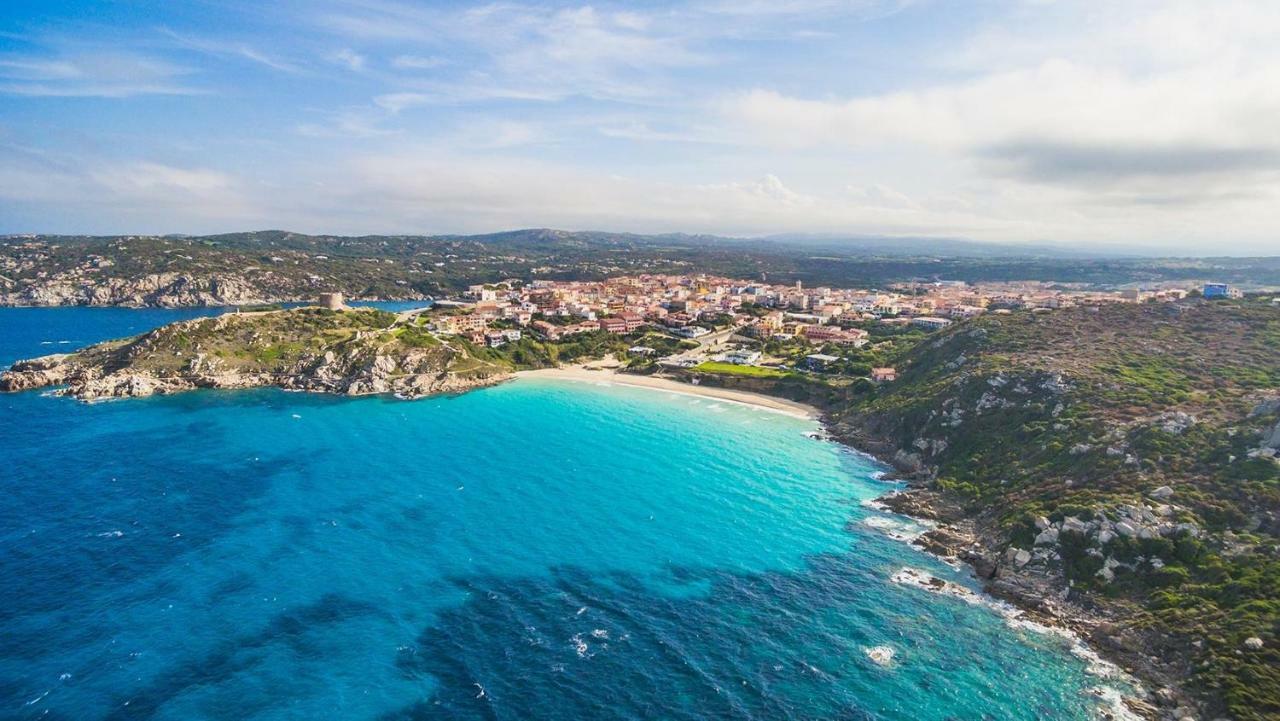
351,353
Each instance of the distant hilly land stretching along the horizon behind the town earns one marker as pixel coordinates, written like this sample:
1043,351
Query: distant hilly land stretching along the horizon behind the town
281,266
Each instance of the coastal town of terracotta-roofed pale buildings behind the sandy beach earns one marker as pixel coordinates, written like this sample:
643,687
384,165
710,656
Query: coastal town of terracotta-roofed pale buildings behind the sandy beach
732,326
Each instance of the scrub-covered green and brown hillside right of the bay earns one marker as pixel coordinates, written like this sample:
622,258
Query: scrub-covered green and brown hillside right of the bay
1062,414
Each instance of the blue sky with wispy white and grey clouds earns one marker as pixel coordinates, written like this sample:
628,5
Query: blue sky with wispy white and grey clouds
1121,125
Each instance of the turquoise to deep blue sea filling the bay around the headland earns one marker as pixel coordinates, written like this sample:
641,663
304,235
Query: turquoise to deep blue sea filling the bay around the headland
541,550
